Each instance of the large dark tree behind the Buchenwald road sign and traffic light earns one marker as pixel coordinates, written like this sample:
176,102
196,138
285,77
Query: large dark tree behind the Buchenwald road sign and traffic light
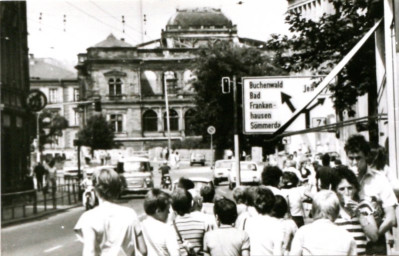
213,107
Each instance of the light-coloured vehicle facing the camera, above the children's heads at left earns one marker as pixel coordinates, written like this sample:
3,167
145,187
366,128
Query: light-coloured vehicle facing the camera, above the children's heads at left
137,175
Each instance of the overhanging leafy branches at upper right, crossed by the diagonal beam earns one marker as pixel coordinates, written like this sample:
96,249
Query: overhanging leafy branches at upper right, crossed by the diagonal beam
319,45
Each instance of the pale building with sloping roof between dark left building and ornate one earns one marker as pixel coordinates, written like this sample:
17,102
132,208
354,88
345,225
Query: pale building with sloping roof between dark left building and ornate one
62,91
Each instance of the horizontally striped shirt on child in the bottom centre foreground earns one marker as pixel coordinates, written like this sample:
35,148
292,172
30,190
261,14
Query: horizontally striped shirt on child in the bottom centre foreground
192,229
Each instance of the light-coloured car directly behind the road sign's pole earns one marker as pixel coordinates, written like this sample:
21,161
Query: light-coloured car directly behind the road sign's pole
250,174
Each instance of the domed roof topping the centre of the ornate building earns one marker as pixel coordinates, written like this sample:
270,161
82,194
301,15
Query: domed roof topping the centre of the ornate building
199,17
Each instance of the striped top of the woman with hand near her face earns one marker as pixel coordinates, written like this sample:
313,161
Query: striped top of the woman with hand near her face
352,225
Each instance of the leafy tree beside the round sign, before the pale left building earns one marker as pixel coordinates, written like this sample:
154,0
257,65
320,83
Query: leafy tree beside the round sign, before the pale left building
51,125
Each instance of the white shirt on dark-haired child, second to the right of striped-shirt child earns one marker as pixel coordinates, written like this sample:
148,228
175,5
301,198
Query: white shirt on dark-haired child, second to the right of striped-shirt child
266,235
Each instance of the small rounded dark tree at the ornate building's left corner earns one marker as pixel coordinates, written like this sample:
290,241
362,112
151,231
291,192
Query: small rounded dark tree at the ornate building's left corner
97,134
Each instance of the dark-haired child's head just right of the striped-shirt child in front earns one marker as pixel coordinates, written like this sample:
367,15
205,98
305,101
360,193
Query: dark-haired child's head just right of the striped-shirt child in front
225,211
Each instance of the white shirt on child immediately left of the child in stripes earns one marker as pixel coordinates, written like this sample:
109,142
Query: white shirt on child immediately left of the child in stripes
160,238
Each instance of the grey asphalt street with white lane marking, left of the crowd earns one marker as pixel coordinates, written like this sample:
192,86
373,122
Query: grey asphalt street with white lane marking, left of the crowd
54,235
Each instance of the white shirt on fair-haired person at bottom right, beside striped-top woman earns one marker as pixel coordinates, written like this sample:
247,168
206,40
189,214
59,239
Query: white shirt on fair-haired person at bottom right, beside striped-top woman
322,237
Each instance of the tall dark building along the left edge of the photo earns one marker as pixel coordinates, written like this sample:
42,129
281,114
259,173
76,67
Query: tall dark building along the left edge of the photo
15,144
